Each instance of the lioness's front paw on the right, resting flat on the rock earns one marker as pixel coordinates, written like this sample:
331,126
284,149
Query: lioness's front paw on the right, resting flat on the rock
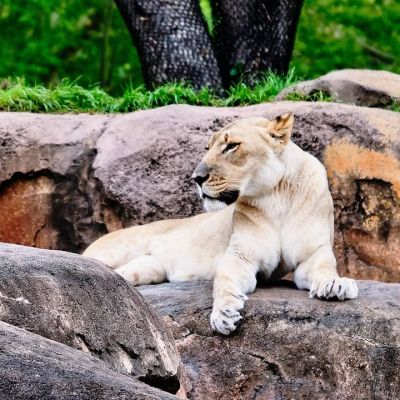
340,288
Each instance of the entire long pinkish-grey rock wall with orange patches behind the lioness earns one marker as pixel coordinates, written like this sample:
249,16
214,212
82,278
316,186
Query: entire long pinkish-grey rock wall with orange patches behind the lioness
129,169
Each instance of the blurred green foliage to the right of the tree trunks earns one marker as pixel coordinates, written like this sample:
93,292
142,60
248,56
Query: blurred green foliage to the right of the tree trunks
347,34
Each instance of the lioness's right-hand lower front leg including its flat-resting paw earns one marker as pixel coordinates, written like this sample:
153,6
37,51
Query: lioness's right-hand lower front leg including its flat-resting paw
318,274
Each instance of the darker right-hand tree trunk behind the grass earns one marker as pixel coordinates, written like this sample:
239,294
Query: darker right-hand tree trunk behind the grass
252,36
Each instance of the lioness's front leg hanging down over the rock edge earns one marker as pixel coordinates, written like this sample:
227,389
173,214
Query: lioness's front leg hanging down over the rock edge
235,277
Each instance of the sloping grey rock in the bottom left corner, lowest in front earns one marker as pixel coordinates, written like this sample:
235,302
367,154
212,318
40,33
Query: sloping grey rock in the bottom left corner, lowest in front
35,368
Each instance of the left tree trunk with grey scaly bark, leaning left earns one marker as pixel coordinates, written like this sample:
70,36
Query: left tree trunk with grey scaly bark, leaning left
172,41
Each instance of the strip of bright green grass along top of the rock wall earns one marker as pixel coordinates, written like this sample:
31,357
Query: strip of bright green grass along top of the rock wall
66,96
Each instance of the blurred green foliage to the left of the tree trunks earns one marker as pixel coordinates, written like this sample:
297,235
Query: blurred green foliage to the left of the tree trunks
47,41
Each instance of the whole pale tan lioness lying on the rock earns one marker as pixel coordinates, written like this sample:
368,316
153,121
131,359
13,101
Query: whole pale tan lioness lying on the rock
279,218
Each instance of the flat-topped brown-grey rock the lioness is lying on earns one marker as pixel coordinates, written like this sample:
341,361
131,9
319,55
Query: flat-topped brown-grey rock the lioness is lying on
287,346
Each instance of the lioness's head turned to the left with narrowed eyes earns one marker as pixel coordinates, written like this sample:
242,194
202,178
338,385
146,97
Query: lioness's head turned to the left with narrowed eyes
243,159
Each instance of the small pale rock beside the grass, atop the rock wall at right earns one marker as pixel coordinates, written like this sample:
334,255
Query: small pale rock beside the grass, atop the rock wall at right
361,87
